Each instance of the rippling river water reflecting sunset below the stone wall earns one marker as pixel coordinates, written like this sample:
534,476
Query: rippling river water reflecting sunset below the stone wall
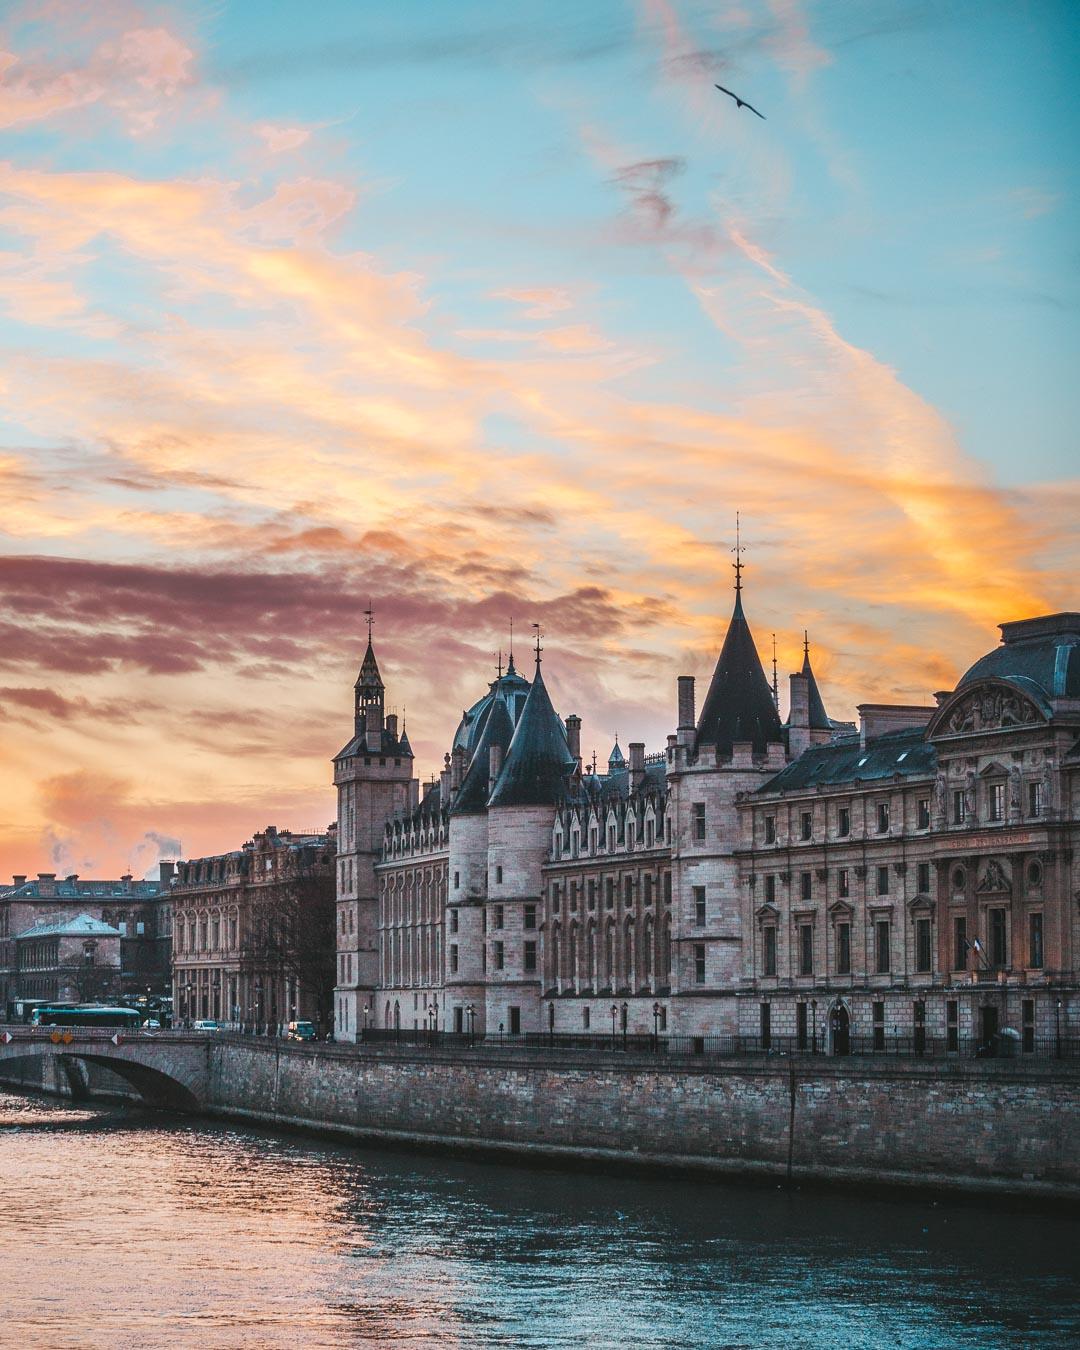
126,1229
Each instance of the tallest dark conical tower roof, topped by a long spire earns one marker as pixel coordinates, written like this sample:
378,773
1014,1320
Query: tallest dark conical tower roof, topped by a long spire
739,705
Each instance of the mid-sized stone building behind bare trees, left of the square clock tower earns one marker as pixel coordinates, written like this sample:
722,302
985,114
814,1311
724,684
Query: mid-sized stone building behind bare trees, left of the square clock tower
253,938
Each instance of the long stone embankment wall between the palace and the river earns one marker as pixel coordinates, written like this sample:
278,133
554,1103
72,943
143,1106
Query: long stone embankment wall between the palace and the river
975,1127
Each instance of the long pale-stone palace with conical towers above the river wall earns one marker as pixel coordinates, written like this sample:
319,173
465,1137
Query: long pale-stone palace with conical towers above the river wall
808,884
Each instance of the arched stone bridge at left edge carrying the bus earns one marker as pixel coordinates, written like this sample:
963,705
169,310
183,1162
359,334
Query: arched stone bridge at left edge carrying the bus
165,1069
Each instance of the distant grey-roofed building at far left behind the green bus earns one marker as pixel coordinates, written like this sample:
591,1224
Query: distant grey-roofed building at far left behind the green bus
132,959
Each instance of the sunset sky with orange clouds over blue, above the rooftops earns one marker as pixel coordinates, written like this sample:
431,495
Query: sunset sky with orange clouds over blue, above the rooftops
477,313
